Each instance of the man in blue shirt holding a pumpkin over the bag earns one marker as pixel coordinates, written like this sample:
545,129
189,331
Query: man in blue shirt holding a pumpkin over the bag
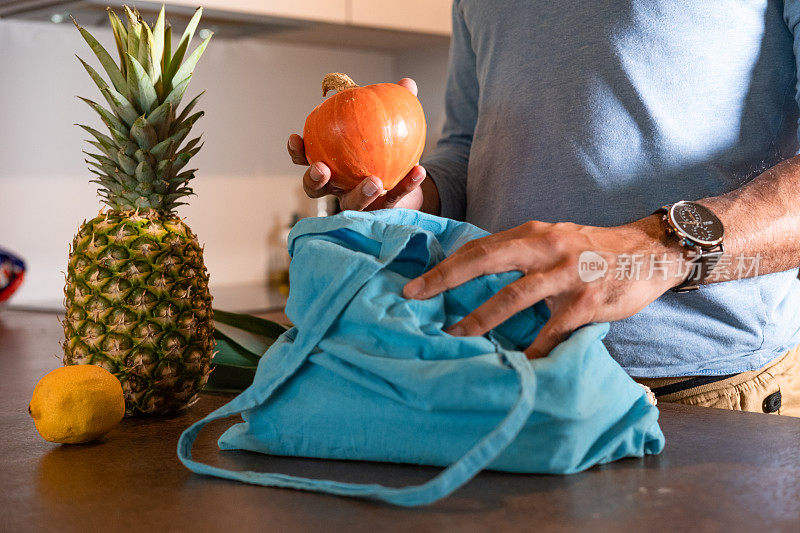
568,127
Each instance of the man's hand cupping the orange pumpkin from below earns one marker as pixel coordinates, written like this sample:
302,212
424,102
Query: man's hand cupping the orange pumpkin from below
369,194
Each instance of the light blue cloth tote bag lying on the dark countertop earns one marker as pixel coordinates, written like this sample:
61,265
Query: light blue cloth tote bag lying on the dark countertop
365,374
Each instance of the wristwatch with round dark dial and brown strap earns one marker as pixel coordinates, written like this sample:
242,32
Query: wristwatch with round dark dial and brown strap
698,229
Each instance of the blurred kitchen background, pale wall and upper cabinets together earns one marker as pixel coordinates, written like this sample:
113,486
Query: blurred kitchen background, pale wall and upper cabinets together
261,73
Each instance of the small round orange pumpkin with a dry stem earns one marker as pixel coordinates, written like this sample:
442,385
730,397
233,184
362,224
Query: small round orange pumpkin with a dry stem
376,130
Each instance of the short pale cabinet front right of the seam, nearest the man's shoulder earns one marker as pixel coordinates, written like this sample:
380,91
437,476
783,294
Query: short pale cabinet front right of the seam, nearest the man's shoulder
420,16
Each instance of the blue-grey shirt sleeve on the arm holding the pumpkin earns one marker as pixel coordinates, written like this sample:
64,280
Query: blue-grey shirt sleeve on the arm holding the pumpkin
447,165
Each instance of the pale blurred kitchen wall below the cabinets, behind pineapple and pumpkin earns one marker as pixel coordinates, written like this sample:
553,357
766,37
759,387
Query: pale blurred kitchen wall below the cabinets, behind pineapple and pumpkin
256,94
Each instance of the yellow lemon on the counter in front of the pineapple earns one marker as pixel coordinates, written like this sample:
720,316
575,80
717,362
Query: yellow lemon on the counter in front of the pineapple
78,403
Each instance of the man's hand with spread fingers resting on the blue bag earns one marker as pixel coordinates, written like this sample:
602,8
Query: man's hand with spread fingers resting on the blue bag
550,257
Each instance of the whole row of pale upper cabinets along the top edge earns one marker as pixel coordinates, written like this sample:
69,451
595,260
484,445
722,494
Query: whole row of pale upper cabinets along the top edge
388,24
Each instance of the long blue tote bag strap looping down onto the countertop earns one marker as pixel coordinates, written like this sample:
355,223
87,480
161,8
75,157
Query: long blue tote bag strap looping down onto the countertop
481,455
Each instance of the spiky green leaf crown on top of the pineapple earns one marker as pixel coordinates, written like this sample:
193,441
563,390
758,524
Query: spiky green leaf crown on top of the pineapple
139,166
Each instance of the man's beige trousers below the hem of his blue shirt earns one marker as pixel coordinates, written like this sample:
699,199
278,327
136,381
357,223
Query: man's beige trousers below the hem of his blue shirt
774,388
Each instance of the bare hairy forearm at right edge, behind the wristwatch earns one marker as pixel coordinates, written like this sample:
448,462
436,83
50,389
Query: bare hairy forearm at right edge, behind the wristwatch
762,223
